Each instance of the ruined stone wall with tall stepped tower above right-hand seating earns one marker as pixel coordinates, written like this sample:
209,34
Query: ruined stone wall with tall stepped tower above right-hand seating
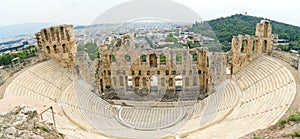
246,48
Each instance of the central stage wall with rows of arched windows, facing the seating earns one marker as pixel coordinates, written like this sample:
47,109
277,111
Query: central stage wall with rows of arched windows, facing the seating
134,69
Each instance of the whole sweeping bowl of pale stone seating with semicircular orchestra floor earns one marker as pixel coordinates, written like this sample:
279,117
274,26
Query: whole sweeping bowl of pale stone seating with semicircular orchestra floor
256,97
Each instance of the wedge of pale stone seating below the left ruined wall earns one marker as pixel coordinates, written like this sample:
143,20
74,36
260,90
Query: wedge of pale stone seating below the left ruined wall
44,81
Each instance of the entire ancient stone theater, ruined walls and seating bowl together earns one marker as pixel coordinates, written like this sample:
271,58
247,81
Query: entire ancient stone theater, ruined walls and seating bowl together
136,91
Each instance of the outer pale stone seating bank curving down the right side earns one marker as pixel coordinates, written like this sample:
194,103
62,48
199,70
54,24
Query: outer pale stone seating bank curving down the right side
268,89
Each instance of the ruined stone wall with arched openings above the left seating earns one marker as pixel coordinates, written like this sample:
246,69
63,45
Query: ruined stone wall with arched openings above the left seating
57,42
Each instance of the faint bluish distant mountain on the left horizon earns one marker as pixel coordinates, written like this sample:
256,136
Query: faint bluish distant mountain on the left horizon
20,29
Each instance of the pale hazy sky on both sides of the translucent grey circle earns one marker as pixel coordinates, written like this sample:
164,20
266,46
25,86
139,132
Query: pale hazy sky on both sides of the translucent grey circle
85,11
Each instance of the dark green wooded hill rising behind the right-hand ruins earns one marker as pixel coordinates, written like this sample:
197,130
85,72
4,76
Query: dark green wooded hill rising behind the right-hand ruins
226,27
